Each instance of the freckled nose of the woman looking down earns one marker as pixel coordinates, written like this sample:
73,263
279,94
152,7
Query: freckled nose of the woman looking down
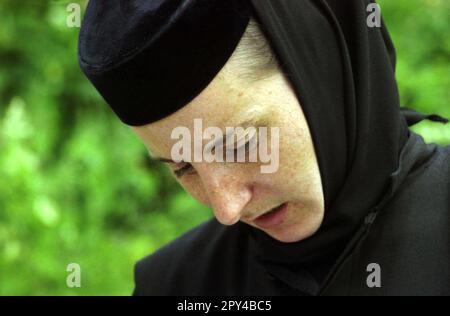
227,191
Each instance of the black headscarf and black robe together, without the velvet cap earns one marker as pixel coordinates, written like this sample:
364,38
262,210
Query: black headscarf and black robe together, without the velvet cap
386,192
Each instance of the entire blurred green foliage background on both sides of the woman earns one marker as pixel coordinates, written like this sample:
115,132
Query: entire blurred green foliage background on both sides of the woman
76,185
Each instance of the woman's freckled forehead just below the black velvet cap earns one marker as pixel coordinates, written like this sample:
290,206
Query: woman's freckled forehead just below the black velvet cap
219,105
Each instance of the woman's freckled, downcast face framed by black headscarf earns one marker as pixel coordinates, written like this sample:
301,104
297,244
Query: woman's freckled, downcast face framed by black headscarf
240,191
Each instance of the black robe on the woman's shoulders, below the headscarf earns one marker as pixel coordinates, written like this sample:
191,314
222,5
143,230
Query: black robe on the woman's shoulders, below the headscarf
409,238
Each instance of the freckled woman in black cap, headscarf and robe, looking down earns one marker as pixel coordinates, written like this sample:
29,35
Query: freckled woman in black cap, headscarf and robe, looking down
359,204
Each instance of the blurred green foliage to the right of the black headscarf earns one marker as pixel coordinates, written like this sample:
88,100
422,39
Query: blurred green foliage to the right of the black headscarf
420,31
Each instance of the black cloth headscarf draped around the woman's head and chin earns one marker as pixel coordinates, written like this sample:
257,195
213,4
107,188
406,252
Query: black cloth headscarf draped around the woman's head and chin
343,72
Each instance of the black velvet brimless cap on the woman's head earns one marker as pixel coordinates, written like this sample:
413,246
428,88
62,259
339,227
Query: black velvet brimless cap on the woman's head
149,58
